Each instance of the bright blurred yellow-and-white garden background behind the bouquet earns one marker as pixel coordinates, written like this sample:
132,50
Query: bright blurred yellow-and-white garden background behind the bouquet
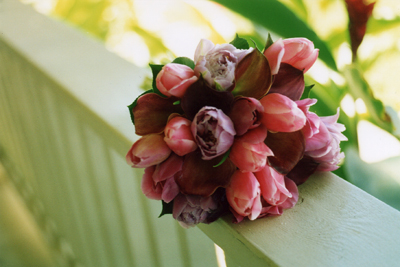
157,31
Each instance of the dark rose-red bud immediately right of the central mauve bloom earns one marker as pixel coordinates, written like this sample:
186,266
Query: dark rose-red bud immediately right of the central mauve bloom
246,114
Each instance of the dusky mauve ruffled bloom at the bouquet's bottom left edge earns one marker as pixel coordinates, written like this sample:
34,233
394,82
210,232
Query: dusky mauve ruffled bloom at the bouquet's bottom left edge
190,210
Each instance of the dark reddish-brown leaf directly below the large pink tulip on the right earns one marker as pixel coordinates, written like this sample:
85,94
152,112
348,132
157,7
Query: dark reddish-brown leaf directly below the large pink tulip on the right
288,149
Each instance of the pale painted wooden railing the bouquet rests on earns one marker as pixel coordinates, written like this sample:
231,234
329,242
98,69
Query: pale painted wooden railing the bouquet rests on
64,132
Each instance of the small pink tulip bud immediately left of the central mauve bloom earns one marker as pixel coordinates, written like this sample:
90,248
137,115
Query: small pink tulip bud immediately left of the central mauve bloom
179,137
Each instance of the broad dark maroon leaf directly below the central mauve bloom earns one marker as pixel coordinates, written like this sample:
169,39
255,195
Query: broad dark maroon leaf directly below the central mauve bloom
199,177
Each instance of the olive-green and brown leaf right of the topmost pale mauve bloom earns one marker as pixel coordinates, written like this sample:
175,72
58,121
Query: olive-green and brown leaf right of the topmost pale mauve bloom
253,76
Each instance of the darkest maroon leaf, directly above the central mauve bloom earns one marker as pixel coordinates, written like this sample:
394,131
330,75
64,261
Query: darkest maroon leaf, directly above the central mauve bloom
199,95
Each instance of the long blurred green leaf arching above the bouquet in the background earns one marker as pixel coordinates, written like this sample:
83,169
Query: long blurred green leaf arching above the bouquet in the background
276,17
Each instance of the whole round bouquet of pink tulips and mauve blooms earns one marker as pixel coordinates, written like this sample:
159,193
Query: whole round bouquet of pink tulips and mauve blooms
228,132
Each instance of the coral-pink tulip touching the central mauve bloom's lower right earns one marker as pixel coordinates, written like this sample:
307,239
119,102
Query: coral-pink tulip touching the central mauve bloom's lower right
249,152
